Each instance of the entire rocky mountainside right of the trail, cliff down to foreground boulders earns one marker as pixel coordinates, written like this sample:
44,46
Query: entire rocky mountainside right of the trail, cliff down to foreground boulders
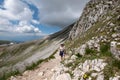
94,44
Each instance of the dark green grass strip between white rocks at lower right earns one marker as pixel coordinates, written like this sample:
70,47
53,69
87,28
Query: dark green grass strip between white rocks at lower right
113,64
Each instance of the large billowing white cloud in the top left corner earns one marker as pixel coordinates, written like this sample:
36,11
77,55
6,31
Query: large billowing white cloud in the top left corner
16,10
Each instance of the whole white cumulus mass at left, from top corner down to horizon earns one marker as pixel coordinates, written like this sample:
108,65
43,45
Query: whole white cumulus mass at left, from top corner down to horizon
17,10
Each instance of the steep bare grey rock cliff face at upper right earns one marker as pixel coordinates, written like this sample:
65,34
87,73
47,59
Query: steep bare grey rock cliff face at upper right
95,11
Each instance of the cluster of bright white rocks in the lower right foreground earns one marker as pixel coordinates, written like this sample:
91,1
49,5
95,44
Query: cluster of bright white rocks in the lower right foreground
88,66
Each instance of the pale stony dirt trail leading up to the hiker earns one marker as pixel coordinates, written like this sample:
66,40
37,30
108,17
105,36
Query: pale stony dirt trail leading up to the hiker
44,71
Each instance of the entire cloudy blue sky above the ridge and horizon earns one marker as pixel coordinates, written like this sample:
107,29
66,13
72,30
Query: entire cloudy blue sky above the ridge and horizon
25,20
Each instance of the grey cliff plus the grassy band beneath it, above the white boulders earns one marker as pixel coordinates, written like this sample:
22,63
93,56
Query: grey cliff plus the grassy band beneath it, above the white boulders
100,21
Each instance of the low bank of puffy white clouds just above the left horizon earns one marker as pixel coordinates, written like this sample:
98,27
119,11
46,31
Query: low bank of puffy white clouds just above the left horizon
22,27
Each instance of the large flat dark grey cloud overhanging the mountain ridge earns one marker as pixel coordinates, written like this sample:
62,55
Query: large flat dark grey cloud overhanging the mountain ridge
59,12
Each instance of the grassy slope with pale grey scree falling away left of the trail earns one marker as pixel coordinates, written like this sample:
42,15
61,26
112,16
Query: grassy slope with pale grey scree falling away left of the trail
16,58
